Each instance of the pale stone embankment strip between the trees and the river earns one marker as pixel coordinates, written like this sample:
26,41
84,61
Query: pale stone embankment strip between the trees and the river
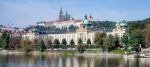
58,52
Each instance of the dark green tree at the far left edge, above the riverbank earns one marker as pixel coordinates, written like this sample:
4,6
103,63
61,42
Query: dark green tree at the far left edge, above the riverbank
5,36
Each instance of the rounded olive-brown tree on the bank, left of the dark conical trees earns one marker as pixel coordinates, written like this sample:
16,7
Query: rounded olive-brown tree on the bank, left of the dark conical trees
26,45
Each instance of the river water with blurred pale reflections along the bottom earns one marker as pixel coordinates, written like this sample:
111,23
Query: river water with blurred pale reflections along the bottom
75,61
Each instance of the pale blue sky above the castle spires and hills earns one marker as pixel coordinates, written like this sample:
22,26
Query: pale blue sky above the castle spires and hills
22,13
